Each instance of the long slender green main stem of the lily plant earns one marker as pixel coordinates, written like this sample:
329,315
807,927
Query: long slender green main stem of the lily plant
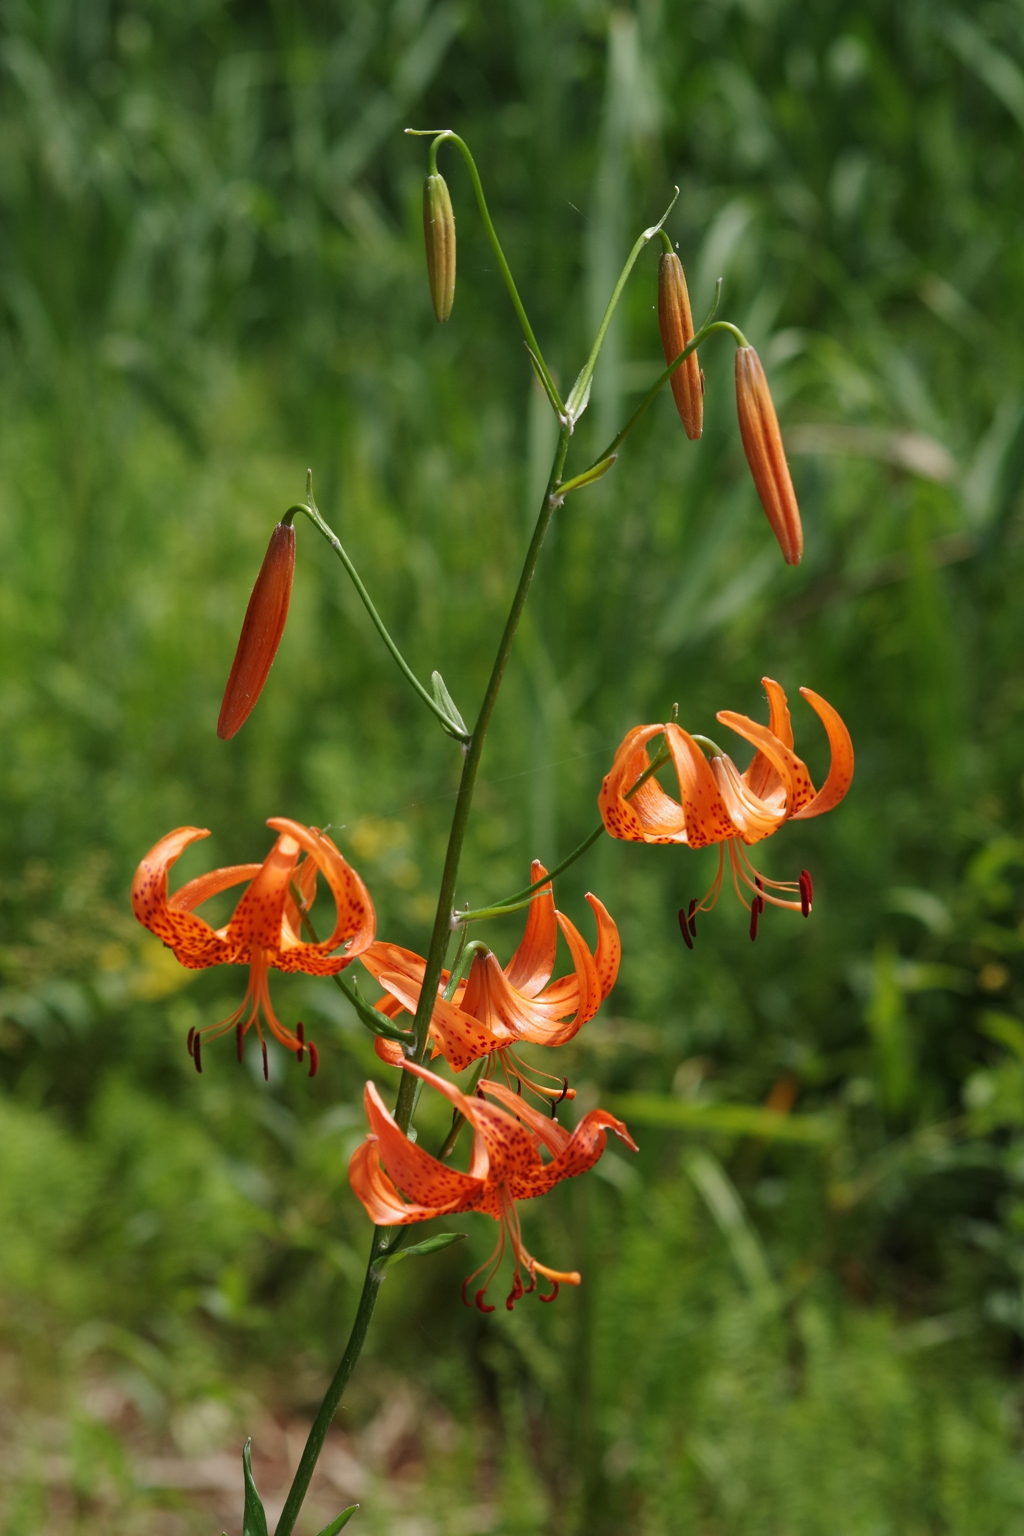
429,993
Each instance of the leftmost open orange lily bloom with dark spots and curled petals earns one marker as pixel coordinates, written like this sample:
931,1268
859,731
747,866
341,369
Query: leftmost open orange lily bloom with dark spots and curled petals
265,930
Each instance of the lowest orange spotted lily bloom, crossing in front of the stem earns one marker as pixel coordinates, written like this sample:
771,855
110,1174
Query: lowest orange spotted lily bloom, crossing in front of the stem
400,1183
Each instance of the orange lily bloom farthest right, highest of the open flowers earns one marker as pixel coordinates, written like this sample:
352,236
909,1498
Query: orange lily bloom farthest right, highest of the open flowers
722,806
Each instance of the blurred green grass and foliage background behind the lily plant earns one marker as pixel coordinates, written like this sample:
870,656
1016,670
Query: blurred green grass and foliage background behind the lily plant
213,277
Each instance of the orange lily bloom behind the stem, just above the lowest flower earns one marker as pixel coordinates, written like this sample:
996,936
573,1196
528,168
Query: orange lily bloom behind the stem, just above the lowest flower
494,1010
